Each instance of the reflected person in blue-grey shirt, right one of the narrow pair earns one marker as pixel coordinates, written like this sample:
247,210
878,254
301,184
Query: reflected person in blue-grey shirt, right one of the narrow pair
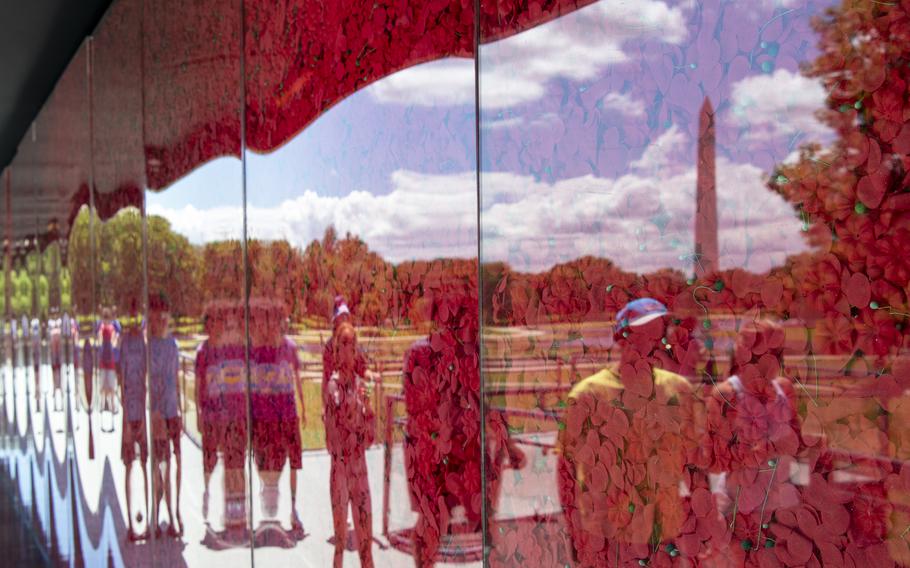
167,423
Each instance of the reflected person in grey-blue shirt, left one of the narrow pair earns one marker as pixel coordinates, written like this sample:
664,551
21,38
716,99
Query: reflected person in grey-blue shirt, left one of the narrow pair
131,370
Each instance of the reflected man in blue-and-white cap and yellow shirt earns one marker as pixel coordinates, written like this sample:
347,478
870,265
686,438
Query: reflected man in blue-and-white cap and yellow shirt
623,448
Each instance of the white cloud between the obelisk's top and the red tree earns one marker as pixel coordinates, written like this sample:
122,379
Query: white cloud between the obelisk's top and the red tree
782,104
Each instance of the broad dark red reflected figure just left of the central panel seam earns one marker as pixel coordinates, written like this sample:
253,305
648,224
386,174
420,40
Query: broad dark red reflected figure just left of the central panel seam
441,384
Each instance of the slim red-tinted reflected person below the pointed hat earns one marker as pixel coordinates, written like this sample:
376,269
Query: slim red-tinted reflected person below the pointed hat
350,429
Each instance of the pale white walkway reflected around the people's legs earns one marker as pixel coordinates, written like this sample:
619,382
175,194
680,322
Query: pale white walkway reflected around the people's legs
525,494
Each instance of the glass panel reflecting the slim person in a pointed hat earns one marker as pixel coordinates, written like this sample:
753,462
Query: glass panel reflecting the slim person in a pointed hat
363,310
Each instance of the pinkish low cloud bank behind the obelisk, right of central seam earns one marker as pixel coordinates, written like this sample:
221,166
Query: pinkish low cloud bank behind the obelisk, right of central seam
641,222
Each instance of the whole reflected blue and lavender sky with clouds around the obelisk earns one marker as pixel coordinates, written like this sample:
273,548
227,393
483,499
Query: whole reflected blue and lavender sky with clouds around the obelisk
588,129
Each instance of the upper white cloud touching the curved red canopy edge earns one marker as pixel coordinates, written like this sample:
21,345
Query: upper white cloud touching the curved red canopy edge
517,69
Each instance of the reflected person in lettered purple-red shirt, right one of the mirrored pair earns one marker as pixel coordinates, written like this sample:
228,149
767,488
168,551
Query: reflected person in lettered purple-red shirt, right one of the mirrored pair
275,385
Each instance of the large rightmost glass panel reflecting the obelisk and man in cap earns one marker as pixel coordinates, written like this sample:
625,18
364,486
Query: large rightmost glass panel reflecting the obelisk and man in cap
692,222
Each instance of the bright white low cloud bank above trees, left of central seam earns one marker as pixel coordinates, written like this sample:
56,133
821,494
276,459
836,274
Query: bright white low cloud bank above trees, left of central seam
424,216
